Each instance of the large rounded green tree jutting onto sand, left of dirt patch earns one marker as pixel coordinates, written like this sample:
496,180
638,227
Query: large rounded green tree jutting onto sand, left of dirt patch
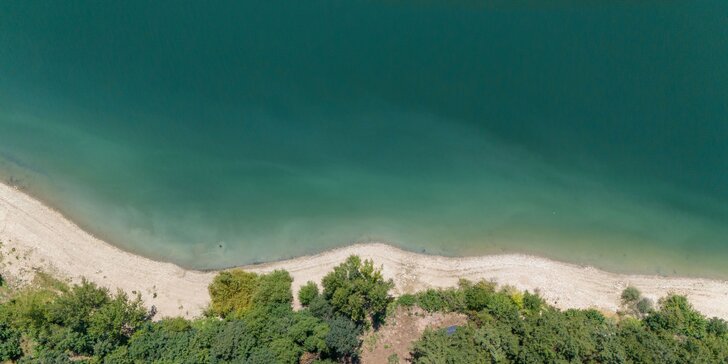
358,290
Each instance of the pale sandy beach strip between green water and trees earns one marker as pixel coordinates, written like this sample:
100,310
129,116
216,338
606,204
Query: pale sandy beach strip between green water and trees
35,237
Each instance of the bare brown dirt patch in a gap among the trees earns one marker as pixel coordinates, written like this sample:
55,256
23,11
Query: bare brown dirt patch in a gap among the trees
401,330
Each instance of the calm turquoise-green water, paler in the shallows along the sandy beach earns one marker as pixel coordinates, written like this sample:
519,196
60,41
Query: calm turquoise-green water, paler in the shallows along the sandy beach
213,136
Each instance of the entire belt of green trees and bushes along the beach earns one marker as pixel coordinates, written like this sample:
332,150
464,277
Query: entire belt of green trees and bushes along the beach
53,323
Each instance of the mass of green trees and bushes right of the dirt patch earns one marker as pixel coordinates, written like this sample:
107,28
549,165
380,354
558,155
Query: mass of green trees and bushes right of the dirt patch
506,327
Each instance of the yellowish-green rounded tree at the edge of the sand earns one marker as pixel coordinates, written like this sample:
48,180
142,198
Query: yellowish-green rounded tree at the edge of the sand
231,292
